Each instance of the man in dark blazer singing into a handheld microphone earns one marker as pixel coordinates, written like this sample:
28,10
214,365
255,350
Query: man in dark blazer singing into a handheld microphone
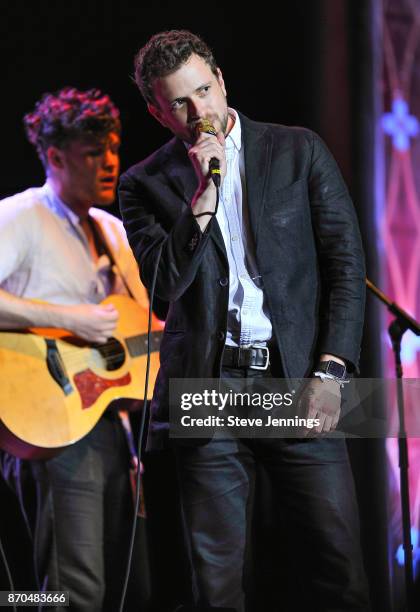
269,284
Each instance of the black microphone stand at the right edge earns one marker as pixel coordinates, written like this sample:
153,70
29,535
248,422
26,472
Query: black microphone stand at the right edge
396,330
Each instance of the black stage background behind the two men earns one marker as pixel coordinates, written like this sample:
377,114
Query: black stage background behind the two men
306,63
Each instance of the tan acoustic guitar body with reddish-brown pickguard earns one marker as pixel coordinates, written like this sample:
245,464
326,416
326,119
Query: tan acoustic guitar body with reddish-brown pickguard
55,387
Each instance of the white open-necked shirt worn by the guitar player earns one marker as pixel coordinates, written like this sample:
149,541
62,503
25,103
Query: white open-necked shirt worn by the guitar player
45,255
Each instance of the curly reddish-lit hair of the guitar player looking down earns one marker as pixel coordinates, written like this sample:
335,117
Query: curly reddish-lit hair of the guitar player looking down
70,114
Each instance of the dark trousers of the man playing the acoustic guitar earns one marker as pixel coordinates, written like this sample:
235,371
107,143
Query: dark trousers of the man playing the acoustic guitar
83,519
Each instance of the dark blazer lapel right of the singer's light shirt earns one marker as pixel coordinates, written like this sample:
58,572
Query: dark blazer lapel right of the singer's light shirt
257,151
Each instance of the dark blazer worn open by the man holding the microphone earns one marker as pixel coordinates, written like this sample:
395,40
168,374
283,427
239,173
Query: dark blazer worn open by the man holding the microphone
308,250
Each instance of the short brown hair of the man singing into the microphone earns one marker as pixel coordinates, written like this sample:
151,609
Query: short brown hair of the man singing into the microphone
163,54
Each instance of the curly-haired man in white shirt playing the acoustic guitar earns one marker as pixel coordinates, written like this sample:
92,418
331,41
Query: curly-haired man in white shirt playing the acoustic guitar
56,268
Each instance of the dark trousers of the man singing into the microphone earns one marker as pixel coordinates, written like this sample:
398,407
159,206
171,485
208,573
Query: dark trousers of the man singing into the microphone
313,504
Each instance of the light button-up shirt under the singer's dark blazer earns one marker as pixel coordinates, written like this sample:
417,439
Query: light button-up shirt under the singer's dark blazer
248,320
